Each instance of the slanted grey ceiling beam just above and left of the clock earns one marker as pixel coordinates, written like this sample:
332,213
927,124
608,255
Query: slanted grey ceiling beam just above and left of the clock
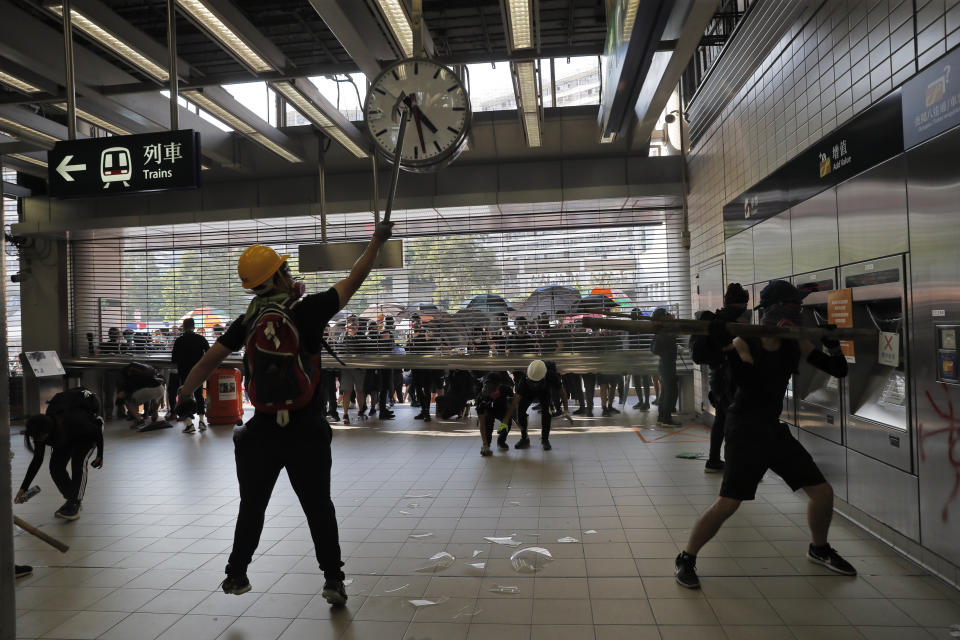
358,32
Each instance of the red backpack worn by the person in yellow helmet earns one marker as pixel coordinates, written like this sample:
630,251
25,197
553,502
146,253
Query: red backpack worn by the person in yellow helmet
281,375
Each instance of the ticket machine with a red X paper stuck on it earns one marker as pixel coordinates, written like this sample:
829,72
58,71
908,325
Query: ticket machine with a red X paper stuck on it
876,398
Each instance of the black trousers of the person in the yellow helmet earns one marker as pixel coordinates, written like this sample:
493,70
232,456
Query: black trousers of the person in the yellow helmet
262,448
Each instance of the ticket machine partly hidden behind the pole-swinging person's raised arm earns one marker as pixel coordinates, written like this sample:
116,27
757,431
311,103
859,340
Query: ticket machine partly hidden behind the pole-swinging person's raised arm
818,395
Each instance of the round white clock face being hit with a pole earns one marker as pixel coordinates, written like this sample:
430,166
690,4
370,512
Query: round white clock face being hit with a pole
438,113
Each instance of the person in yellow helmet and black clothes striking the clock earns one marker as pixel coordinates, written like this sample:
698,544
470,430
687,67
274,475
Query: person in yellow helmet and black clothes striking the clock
263,447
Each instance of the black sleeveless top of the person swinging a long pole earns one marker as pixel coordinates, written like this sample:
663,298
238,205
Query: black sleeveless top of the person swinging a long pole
760,386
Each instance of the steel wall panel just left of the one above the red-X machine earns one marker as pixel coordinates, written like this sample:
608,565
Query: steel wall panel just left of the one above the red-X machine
813,233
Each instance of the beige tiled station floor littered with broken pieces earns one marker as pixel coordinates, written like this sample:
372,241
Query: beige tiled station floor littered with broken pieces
147,554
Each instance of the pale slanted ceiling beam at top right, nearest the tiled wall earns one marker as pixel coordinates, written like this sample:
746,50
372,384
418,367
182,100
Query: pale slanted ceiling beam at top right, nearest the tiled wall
657,88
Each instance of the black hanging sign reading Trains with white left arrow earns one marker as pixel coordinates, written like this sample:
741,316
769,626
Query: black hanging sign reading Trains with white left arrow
125,164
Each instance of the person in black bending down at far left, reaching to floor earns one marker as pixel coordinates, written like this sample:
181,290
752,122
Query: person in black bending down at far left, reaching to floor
72,428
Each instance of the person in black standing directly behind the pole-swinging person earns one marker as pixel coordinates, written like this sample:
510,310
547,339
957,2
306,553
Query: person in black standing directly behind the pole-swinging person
704,350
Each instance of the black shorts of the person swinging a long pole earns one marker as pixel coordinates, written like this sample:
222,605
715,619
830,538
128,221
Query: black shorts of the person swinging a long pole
748,458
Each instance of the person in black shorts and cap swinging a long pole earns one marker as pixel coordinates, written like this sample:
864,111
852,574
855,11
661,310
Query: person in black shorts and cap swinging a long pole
758,441
